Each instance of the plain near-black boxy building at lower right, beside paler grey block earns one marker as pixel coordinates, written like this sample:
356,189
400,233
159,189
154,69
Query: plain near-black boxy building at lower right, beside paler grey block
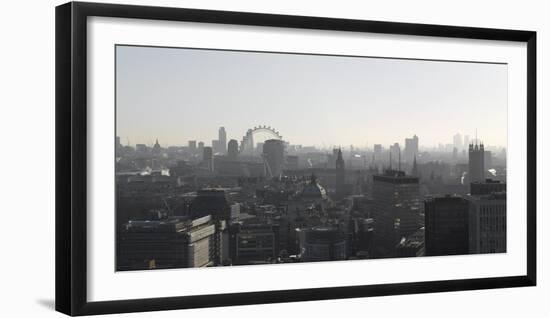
447,227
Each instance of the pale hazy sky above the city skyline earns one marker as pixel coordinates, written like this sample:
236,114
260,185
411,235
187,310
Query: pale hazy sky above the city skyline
177,95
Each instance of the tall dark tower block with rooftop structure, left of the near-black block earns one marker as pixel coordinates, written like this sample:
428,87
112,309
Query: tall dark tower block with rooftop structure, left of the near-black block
396,210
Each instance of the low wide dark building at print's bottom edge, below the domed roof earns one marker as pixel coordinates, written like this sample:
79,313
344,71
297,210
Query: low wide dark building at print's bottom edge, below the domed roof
322,244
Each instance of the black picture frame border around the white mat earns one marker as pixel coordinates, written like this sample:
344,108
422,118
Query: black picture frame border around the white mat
71,157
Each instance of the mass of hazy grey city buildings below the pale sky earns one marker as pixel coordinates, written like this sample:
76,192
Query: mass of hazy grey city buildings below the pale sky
275,202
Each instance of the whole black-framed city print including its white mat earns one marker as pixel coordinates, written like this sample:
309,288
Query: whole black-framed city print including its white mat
213,158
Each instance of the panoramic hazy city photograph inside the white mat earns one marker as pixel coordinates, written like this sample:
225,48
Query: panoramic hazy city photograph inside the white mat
228,158
